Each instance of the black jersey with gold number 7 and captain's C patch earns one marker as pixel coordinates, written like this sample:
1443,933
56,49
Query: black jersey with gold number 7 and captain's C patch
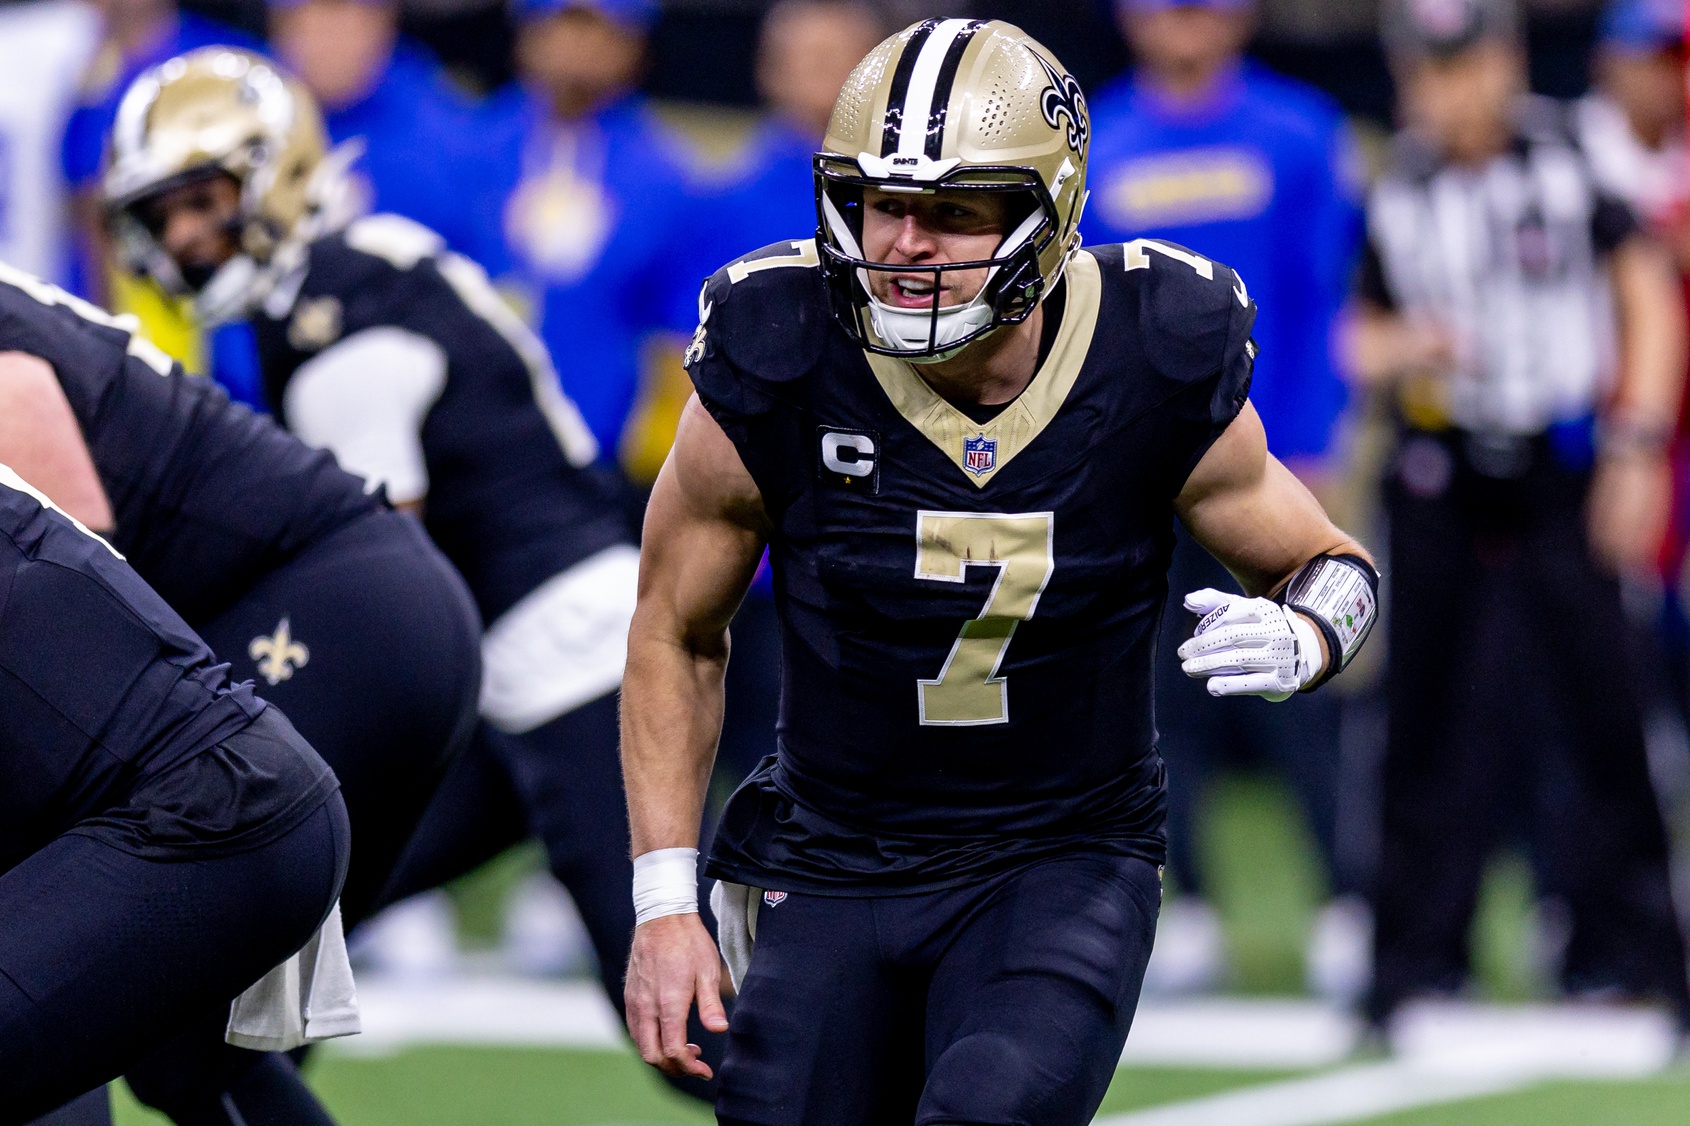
969,609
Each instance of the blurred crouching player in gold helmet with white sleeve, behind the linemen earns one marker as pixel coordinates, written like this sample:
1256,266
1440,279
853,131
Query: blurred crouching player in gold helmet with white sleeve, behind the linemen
401,359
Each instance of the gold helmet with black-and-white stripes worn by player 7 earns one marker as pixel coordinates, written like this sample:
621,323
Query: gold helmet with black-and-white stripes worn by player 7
954,106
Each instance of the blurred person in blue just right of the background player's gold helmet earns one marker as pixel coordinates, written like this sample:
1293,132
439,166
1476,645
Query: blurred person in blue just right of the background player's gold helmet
388,96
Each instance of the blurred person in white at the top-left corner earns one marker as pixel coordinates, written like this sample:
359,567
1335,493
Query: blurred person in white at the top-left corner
45,48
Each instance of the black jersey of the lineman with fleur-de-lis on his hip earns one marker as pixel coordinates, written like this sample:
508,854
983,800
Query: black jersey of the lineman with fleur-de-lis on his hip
207,496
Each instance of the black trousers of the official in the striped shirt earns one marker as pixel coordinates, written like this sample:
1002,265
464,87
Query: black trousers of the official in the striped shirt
1510,681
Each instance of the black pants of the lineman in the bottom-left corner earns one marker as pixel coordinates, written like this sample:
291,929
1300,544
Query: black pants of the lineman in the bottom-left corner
107,953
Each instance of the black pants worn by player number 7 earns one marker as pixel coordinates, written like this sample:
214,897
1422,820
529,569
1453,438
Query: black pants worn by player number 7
1005,1002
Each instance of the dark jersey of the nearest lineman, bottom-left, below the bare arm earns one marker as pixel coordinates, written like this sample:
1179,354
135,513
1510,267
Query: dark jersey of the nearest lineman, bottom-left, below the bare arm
101,682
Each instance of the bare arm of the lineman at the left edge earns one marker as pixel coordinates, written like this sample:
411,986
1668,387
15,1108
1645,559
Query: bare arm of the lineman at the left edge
43,444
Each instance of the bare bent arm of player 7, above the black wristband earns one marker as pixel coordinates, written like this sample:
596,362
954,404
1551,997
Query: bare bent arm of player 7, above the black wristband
1253,515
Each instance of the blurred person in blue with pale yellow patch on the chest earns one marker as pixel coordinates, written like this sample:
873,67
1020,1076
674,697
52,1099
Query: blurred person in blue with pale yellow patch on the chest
584,200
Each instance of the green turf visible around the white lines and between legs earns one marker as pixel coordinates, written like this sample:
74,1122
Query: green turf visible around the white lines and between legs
1267,888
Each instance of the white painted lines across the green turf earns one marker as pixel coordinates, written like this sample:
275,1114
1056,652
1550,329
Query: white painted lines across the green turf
1442,1052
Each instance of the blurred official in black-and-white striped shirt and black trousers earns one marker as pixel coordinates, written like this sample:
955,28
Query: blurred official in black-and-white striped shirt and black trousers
1500,280
